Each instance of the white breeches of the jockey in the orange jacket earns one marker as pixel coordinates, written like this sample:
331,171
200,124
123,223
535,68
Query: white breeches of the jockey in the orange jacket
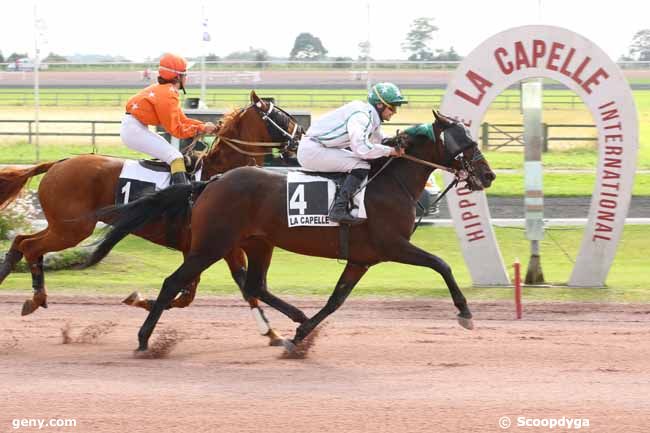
137,136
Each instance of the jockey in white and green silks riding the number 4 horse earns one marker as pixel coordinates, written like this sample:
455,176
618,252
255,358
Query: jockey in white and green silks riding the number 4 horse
345,139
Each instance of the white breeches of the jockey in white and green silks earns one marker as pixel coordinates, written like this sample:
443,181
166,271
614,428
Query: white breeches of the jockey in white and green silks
314,156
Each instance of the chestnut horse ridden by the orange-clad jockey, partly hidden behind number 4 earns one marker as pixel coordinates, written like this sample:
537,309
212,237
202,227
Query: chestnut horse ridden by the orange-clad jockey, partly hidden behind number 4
81,185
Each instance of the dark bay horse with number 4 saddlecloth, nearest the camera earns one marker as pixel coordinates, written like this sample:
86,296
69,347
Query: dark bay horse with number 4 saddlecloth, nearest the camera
247,208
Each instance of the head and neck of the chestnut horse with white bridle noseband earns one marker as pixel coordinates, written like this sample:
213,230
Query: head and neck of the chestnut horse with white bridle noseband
243,133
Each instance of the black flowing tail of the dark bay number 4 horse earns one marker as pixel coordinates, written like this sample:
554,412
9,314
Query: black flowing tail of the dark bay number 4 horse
171,203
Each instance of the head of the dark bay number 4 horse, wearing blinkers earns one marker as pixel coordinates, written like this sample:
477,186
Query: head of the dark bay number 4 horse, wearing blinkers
461,152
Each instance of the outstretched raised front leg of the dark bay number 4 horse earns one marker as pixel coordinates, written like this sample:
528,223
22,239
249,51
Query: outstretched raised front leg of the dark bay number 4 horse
407,253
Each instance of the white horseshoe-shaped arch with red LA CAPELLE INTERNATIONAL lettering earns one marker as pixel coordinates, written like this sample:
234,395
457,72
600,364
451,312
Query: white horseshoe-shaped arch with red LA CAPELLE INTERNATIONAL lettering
558,54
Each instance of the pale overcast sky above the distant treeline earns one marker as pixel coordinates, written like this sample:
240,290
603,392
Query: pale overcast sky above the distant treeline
138,30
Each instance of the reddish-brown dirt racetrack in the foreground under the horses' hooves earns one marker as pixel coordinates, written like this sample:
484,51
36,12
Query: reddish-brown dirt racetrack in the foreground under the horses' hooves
378,366
